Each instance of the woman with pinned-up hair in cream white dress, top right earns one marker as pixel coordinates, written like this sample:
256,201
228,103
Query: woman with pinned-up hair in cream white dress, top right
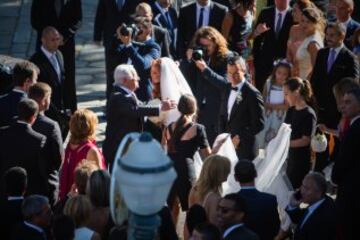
313,25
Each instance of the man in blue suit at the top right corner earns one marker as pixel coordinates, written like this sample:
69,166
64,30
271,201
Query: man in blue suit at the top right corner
344,9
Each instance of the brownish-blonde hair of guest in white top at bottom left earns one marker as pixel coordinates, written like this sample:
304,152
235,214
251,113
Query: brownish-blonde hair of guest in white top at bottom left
79,209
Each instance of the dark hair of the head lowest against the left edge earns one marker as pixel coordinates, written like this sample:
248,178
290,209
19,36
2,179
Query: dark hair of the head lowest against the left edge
15,181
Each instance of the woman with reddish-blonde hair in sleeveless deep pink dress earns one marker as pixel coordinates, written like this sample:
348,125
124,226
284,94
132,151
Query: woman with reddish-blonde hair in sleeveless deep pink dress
81,147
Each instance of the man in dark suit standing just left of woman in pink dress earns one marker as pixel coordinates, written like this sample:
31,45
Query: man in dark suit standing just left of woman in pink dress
53,150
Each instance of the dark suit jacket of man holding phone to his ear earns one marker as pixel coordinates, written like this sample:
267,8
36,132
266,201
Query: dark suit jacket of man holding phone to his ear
320,225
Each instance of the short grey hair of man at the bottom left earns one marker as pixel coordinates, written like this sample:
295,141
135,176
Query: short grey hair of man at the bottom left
33,205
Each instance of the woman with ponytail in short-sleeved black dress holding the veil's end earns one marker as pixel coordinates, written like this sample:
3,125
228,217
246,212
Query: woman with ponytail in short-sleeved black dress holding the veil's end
302,118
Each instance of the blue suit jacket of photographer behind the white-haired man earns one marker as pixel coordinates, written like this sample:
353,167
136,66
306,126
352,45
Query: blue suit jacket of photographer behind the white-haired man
141,56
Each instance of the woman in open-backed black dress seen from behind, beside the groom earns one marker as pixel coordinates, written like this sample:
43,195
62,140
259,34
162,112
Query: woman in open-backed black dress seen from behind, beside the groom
184,138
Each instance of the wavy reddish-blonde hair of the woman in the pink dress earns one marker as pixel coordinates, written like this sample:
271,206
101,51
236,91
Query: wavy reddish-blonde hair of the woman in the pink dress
82,126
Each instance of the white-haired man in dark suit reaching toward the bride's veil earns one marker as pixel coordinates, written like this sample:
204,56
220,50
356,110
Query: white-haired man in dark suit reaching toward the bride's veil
125,113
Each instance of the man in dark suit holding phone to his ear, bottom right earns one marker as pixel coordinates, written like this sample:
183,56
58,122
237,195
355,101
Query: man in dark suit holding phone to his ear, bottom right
317,221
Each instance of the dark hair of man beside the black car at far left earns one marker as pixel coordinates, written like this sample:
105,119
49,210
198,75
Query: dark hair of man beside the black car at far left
22,71
